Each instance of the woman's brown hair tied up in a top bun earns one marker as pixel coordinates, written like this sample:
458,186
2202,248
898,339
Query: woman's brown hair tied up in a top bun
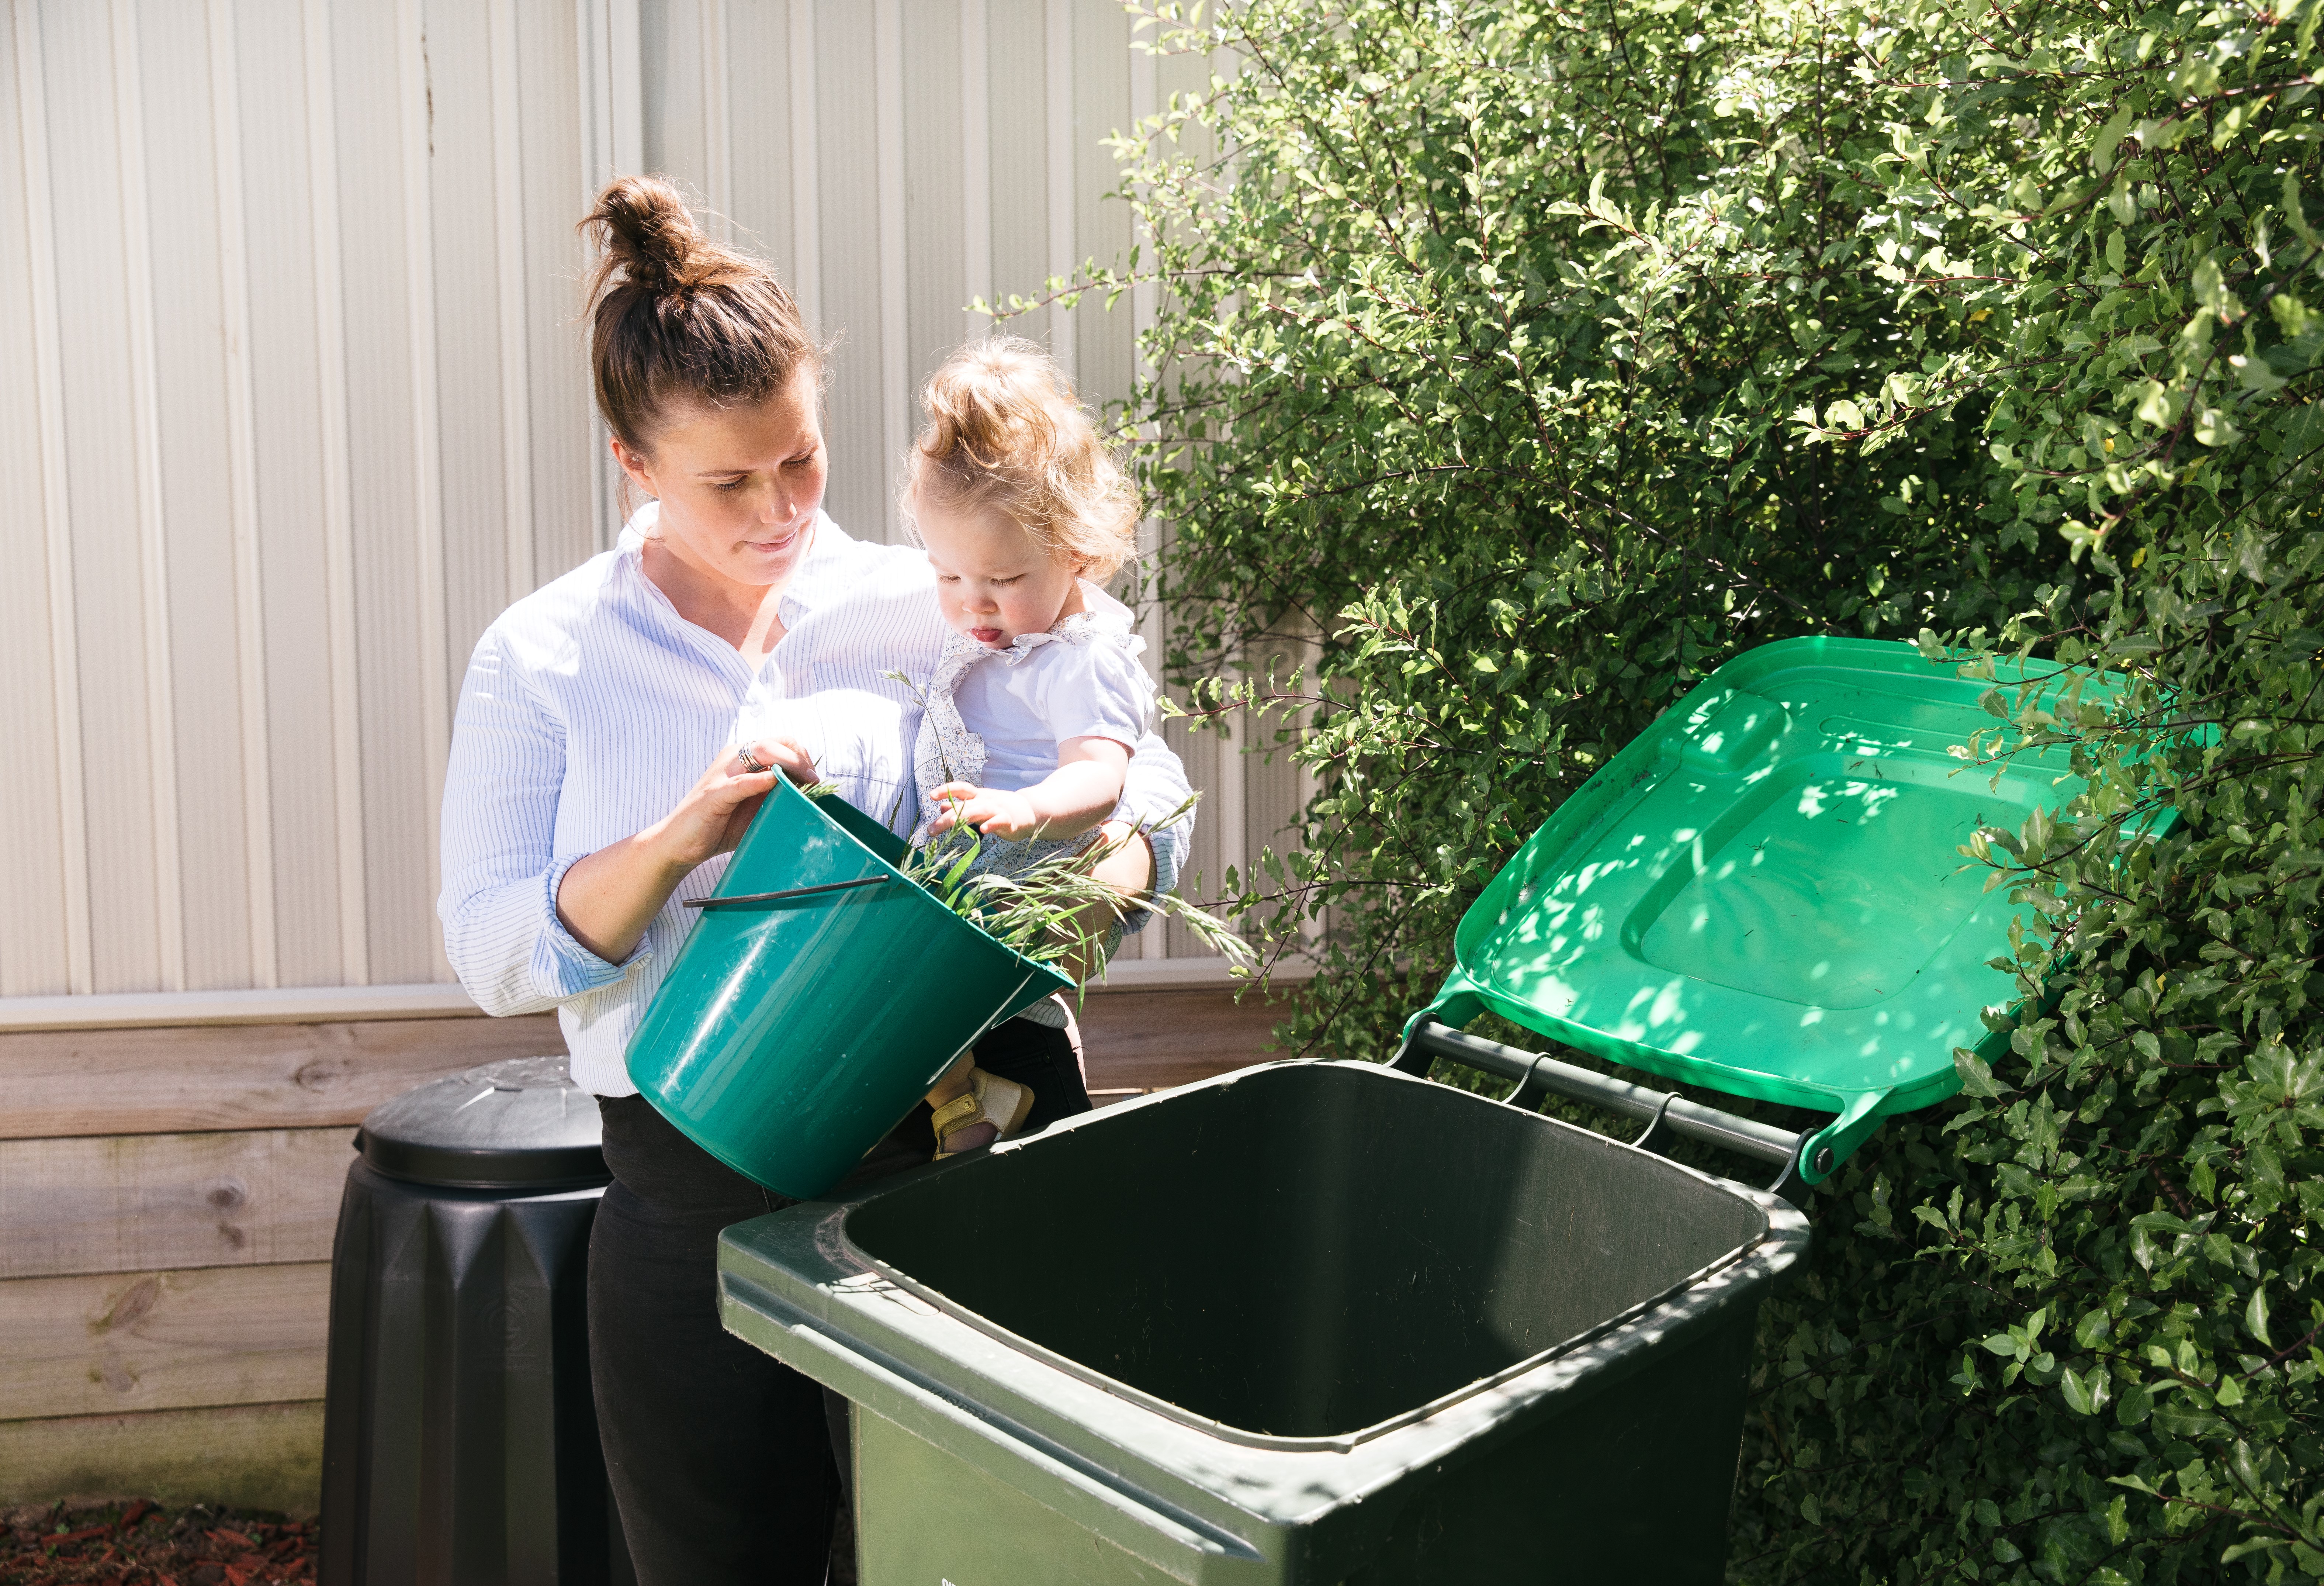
680,317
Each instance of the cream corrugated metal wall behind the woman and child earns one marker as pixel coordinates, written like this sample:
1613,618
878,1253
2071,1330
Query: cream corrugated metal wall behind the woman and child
294,396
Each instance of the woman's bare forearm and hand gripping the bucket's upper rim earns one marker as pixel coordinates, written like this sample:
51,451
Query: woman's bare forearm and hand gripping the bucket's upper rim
608,899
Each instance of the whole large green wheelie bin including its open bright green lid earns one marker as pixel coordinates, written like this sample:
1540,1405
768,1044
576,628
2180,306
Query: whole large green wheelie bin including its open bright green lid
1333,1322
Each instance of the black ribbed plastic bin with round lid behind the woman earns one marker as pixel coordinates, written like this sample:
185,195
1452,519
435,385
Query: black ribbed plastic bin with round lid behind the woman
459,1429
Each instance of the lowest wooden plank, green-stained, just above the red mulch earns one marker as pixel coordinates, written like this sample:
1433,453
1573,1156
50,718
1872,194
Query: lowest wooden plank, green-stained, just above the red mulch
257,1457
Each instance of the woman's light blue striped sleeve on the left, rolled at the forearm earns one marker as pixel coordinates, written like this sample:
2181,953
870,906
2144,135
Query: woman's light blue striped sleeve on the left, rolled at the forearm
501,869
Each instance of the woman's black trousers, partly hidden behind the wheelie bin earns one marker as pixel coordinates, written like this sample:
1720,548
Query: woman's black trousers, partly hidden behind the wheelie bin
722,1459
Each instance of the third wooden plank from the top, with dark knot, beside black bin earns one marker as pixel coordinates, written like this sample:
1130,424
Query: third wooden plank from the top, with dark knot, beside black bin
162,1341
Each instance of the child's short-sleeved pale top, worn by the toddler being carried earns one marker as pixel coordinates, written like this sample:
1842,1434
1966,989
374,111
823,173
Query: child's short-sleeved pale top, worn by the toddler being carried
1077,680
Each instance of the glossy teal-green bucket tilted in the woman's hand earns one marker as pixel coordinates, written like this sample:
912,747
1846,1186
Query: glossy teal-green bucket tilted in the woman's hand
819,999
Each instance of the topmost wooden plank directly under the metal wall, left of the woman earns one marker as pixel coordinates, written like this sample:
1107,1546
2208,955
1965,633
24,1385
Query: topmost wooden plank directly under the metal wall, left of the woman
236,1078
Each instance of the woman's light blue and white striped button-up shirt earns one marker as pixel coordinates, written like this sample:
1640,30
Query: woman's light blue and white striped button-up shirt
591,708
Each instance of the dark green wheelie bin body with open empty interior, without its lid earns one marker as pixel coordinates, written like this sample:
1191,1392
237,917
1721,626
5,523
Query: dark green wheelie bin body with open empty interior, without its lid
1312,1322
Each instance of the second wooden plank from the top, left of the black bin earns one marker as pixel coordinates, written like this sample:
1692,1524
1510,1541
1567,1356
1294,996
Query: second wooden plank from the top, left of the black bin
141,1203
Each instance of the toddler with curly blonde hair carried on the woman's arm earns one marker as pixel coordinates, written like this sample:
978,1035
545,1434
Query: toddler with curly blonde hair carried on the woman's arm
1038,696
